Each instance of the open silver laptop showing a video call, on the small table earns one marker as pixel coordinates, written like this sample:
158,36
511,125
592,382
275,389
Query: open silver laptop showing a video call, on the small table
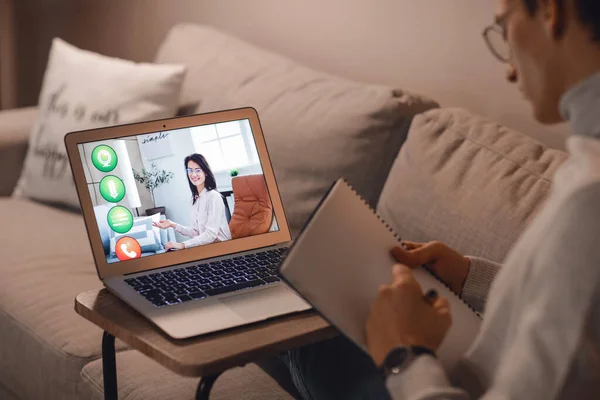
164,226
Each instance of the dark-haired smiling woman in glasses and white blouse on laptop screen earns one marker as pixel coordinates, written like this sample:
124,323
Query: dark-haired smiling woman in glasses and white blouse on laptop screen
209,224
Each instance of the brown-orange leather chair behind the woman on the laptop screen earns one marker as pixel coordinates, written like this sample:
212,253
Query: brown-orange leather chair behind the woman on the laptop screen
253,211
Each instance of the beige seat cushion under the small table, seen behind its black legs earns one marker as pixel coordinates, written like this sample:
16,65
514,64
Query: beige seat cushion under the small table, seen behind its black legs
143,379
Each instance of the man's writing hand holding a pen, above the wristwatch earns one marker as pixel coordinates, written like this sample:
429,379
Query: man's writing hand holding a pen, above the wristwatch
400,316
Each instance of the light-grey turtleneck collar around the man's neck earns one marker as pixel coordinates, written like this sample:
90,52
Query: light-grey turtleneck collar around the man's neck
580,105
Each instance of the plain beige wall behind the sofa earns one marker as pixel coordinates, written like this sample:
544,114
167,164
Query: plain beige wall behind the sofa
432,47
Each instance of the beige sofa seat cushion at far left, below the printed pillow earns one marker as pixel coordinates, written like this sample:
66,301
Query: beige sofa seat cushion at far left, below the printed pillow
46,261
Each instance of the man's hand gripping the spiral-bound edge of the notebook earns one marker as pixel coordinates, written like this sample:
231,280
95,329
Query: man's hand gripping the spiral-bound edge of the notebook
451,266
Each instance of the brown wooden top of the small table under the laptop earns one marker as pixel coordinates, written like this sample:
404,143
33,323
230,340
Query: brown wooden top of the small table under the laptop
206,354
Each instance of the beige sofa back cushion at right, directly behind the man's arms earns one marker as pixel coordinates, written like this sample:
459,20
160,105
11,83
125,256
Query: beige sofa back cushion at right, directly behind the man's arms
468,182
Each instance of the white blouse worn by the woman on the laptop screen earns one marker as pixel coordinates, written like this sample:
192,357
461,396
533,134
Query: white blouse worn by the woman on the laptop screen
209,223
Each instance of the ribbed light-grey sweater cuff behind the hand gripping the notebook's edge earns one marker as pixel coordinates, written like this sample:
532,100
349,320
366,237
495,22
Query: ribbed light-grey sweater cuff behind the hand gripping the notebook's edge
479,280
